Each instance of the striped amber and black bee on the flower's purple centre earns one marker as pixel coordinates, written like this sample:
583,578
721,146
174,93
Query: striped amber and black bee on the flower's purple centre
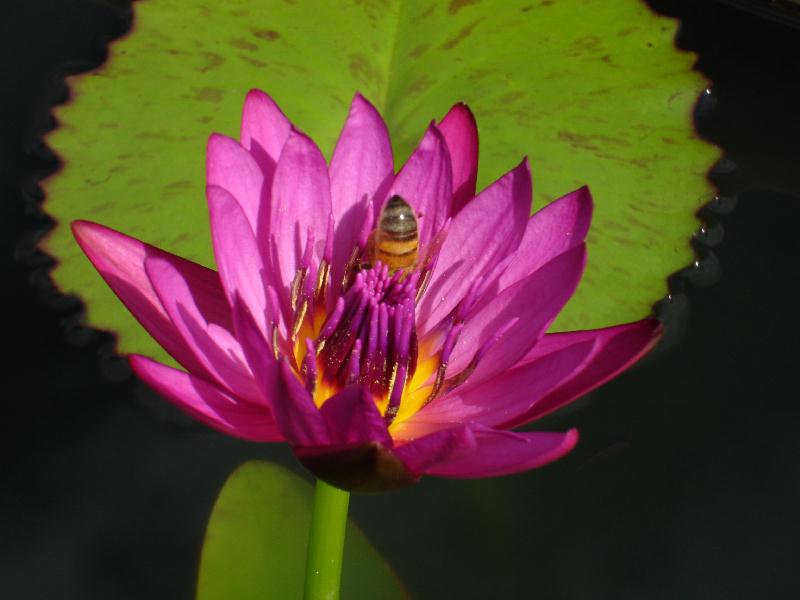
395,241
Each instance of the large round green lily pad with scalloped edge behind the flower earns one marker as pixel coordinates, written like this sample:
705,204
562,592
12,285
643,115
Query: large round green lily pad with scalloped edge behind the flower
593,91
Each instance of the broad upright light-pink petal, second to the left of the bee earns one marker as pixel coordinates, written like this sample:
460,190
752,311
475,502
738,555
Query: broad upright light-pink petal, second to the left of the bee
301,200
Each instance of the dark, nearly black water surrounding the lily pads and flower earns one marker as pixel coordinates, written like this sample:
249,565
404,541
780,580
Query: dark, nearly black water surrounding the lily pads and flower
686,483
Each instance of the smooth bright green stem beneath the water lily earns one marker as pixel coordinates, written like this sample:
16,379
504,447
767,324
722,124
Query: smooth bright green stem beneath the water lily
326,543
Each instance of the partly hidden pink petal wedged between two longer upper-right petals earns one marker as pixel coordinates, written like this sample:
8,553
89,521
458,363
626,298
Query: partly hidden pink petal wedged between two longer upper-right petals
556,228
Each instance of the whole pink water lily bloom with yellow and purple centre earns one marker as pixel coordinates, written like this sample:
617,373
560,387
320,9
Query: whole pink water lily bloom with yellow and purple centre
374,378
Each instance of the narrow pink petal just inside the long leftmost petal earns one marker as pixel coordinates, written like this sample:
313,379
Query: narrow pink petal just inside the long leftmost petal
225,363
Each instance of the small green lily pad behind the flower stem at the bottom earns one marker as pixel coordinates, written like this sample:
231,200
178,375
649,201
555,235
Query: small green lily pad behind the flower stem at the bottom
255,546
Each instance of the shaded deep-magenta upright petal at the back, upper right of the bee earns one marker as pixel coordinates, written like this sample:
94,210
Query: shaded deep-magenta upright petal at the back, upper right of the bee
460,131
